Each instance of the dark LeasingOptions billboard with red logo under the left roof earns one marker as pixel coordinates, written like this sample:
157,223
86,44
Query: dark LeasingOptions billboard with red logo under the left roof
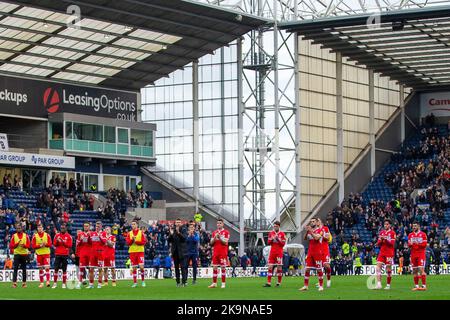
34,98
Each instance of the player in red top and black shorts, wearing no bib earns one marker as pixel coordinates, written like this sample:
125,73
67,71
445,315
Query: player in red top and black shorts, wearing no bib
63,245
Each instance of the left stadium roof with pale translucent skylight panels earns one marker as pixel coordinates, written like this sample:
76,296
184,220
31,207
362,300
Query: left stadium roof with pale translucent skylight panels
124,44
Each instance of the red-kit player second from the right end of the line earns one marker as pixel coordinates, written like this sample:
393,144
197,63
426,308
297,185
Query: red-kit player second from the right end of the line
386,242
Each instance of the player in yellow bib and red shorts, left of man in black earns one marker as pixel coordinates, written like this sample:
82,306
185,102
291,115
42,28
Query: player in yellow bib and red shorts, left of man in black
136,241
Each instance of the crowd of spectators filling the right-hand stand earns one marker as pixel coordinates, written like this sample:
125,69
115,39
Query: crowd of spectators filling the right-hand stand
429,172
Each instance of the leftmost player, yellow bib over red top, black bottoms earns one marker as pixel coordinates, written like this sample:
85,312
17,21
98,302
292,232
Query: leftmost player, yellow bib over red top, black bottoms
19,245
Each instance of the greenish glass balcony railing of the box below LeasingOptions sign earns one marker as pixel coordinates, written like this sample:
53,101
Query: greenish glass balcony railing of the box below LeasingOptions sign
102,147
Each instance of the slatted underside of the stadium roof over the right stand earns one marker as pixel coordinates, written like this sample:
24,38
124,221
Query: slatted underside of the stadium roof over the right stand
410,46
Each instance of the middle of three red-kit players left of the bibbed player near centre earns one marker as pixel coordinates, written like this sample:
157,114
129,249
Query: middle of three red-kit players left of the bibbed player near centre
97,240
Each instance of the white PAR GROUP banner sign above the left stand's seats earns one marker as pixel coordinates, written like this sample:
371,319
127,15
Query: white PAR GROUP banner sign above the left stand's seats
37,160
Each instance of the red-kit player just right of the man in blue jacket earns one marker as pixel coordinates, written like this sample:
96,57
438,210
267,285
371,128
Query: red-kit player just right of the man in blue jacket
219,241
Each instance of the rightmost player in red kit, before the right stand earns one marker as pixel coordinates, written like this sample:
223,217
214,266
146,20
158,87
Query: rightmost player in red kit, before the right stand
417,241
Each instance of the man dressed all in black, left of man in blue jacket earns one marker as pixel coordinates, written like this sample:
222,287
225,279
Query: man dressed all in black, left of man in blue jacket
177,239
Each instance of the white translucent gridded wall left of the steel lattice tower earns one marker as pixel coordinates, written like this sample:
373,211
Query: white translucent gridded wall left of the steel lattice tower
168,103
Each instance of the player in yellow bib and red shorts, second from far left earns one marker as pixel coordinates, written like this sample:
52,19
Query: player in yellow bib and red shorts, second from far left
41,243
